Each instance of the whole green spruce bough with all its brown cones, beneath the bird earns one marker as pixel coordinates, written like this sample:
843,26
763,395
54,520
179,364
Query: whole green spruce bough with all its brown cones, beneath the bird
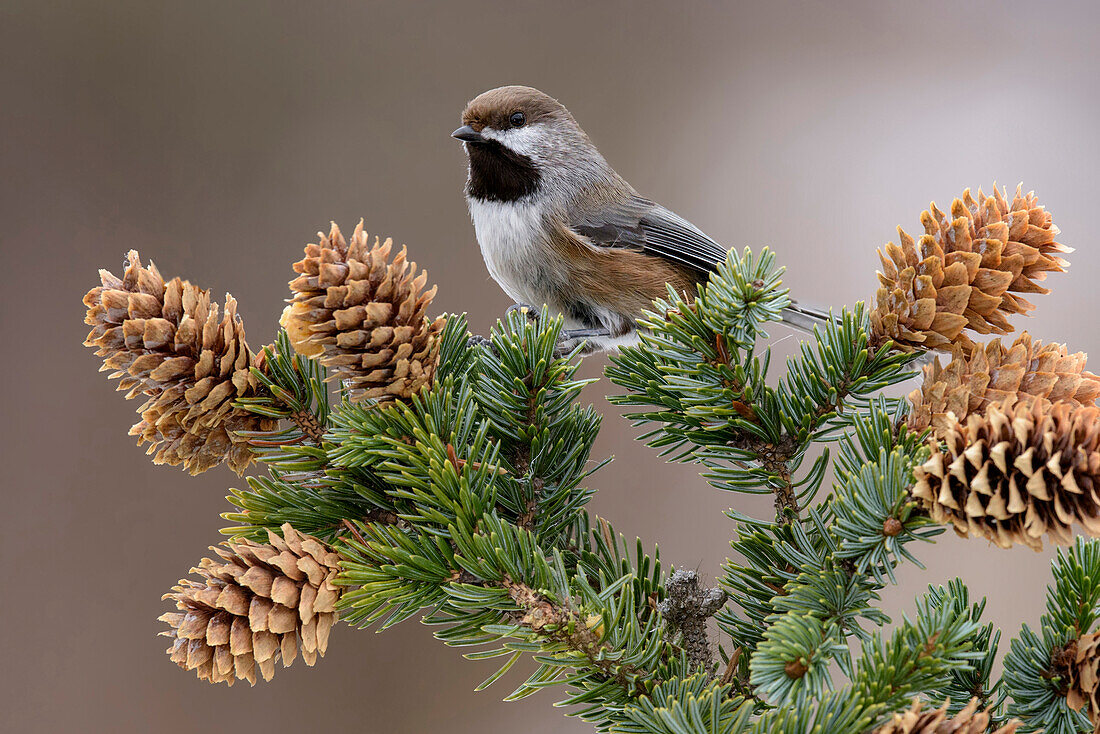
448,479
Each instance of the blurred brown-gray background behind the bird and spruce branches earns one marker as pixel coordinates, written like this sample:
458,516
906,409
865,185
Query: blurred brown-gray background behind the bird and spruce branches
217,138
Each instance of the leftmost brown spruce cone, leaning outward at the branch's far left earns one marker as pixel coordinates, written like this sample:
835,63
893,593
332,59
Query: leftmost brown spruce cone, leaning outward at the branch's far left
167,342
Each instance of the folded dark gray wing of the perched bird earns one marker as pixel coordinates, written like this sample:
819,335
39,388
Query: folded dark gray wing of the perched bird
640,224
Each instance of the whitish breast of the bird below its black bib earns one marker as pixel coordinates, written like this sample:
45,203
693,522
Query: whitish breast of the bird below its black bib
513,243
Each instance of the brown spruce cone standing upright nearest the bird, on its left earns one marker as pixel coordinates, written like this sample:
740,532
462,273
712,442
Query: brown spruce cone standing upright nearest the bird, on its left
364,316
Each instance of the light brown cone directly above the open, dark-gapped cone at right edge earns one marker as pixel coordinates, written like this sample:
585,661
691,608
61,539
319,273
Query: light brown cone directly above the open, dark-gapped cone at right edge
993,374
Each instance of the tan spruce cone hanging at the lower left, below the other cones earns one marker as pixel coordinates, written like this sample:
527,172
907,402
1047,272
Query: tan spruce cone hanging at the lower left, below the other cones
259,604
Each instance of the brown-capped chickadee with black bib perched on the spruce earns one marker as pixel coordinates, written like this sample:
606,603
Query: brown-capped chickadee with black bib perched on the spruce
558,226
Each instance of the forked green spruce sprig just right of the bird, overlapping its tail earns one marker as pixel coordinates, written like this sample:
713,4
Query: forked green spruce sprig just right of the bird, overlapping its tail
698,371
